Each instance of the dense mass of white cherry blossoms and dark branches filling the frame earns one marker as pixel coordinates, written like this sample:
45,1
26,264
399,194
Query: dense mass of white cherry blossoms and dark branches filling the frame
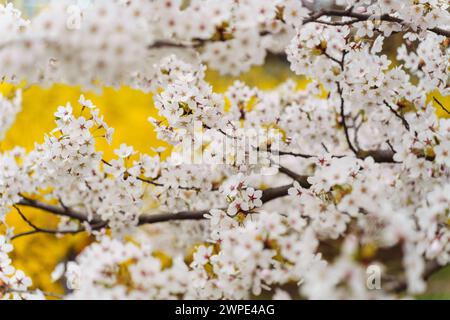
349,173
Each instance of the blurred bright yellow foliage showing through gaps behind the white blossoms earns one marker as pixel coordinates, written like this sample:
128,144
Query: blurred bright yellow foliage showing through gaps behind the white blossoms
127,111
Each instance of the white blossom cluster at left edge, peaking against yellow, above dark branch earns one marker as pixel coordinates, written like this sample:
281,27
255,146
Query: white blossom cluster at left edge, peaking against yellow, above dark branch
69,165
